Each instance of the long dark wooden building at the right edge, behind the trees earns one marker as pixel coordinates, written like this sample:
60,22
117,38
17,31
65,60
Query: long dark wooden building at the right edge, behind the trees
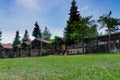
104,43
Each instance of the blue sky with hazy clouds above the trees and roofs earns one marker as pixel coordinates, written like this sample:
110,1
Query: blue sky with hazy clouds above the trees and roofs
22,14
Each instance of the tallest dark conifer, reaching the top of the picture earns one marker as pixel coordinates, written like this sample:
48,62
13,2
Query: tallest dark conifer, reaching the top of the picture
74,17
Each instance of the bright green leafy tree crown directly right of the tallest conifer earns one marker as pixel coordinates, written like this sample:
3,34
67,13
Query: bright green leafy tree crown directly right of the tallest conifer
86,28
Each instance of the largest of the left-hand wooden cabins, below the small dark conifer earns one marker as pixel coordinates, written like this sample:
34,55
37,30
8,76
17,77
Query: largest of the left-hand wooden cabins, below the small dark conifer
40,47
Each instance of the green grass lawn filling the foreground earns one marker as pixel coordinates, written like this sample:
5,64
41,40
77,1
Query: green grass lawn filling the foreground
78,67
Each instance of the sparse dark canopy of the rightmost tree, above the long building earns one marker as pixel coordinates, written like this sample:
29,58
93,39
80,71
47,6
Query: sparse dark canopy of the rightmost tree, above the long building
106,21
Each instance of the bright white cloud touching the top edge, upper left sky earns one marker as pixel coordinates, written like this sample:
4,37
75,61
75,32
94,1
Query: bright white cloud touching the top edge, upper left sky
29,4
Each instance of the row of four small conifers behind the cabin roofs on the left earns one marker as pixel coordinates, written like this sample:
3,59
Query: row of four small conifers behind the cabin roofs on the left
37,33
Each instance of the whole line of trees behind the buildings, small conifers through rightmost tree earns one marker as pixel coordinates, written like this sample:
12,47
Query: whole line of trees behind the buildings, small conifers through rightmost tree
78,28
